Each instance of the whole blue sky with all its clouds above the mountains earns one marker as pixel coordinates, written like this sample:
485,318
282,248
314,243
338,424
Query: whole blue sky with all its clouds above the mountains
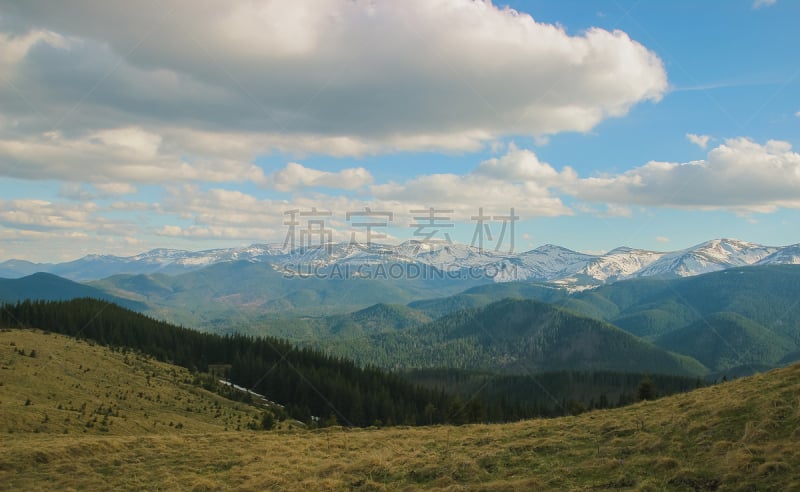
127,126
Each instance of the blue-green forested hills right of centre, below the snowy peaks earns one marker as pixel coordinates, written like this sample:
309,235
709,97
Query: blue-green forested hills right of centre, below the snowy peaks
736,321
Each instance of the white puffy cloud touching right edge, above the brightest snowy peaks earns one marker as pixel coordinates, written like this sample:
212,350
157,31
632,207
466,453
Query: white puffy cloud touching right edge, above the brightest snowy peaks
740,175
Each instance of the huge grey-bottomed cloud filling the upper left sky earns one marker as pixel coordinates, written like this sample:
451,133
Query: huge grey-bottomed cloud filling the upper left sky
328,76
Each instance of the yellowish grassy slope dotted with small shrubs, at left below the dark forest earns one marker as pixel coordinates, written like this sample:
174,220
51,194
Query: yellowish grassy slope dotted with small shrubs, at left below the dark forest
85,381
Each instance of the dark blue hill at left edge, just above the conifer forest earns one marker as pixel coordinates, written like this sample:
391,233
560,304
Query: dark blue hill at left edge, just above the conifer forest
44,286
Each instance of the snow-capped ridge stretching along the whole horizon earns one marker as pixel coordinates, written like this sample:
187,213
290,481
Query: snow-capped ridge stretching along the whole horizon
548,263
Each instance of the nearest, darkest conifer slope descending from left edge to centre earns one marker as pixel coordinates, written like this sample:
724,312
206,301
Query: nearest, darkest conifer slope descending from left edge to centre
307,382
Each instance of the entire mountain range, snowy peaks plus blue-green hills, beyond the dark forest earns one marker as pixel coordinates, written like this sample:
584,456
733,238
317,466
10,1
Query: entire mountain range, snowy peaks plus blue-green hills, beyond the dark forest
722,306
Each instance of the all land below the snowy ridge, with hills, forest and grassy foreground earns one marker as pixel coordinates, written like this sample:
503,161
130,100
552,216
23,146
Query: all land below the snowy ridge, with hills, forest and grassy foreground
659,382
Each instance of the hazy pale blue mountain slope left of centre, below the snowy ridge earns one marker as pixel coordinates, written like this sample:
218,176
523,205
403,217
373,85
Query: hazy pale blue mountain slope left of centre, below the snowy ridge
244,292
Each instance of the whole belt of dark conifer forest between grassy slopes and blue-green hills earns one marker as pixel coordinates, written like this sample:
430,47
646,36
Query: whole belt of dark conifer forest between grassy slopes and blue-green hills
310,383
